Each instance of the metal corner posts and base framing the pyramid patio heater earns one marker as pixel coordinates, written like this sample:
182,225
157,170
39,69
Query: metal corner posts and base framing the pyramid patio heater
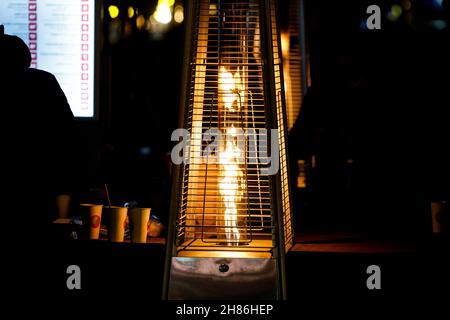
275,266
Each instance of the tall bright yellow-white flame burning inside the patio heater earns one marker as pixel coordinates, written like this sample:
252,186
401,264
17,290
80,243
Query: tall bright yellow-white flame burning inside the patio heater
231,181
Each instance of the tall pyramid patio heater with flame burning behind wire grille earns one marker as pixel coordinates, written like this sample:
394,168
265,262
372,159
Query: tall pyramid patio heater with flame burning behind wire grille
231,219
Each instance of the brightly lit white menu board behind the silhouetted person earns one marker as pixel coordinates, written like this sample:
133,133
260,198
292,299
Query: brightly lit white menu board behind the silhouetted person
61,38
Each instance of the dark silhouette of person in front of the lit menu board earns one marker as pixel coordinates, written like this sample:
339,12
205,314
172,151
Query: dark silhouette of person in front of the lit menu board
43,127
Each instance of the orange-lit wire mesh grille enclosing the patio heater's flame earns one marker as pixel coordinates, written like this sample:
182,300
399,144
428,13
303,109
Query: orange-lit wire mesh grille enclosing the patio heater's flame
226,200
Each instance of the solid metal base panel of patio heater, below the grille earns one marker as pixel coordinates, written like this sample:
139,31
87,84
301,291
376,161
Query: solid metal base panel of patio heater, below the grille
223,279
